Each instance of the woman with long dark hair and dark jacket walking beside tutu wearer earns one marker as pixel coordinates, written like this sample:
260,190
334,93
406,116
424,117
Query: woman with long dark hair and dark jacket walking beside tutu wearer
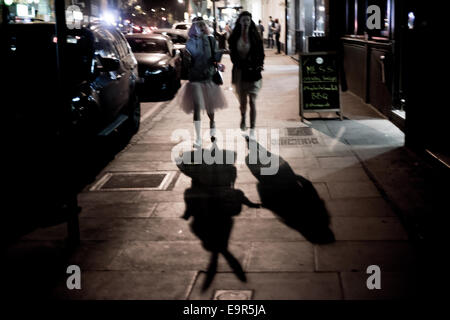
247,55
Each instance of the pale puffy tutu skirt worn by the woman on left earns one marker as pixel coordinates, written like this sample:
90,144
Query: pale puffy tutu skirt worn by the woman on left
205,94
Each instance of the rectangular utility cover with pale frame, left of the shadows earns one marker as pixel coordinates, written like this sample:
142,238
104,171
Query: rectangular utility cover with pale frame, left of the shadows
134,181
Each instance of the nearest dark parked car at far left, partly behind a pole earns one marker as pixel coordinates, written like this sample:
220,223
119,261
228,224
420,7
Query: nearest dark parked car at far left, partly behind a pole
101,71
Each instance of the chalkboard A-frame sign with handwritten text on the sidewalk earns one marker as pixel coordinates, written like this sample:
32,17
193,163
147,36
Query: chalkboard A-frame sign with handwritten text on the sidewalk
319,83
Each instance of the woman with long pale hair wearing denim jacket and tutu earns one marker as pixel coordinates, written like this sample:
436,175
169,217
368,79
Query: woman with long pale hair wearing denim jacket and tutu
201,93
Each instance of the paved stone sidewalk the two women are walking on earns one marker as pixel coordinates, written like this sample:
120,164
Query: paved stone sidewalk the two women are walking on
136,246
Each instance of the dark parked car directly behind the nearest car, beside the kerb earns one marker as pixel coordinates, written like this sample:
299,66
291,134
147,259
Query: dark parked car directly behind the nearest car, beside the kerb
159,64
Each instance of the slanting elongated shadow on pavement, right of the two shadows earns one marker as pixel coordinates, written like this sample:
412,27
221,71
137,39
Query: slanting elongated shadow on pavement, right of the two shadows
290,196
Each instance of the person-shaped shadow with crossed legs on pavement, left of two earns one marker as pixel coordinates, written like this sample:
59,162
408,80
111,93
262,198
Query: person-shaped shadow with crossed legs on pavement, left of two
212,202
